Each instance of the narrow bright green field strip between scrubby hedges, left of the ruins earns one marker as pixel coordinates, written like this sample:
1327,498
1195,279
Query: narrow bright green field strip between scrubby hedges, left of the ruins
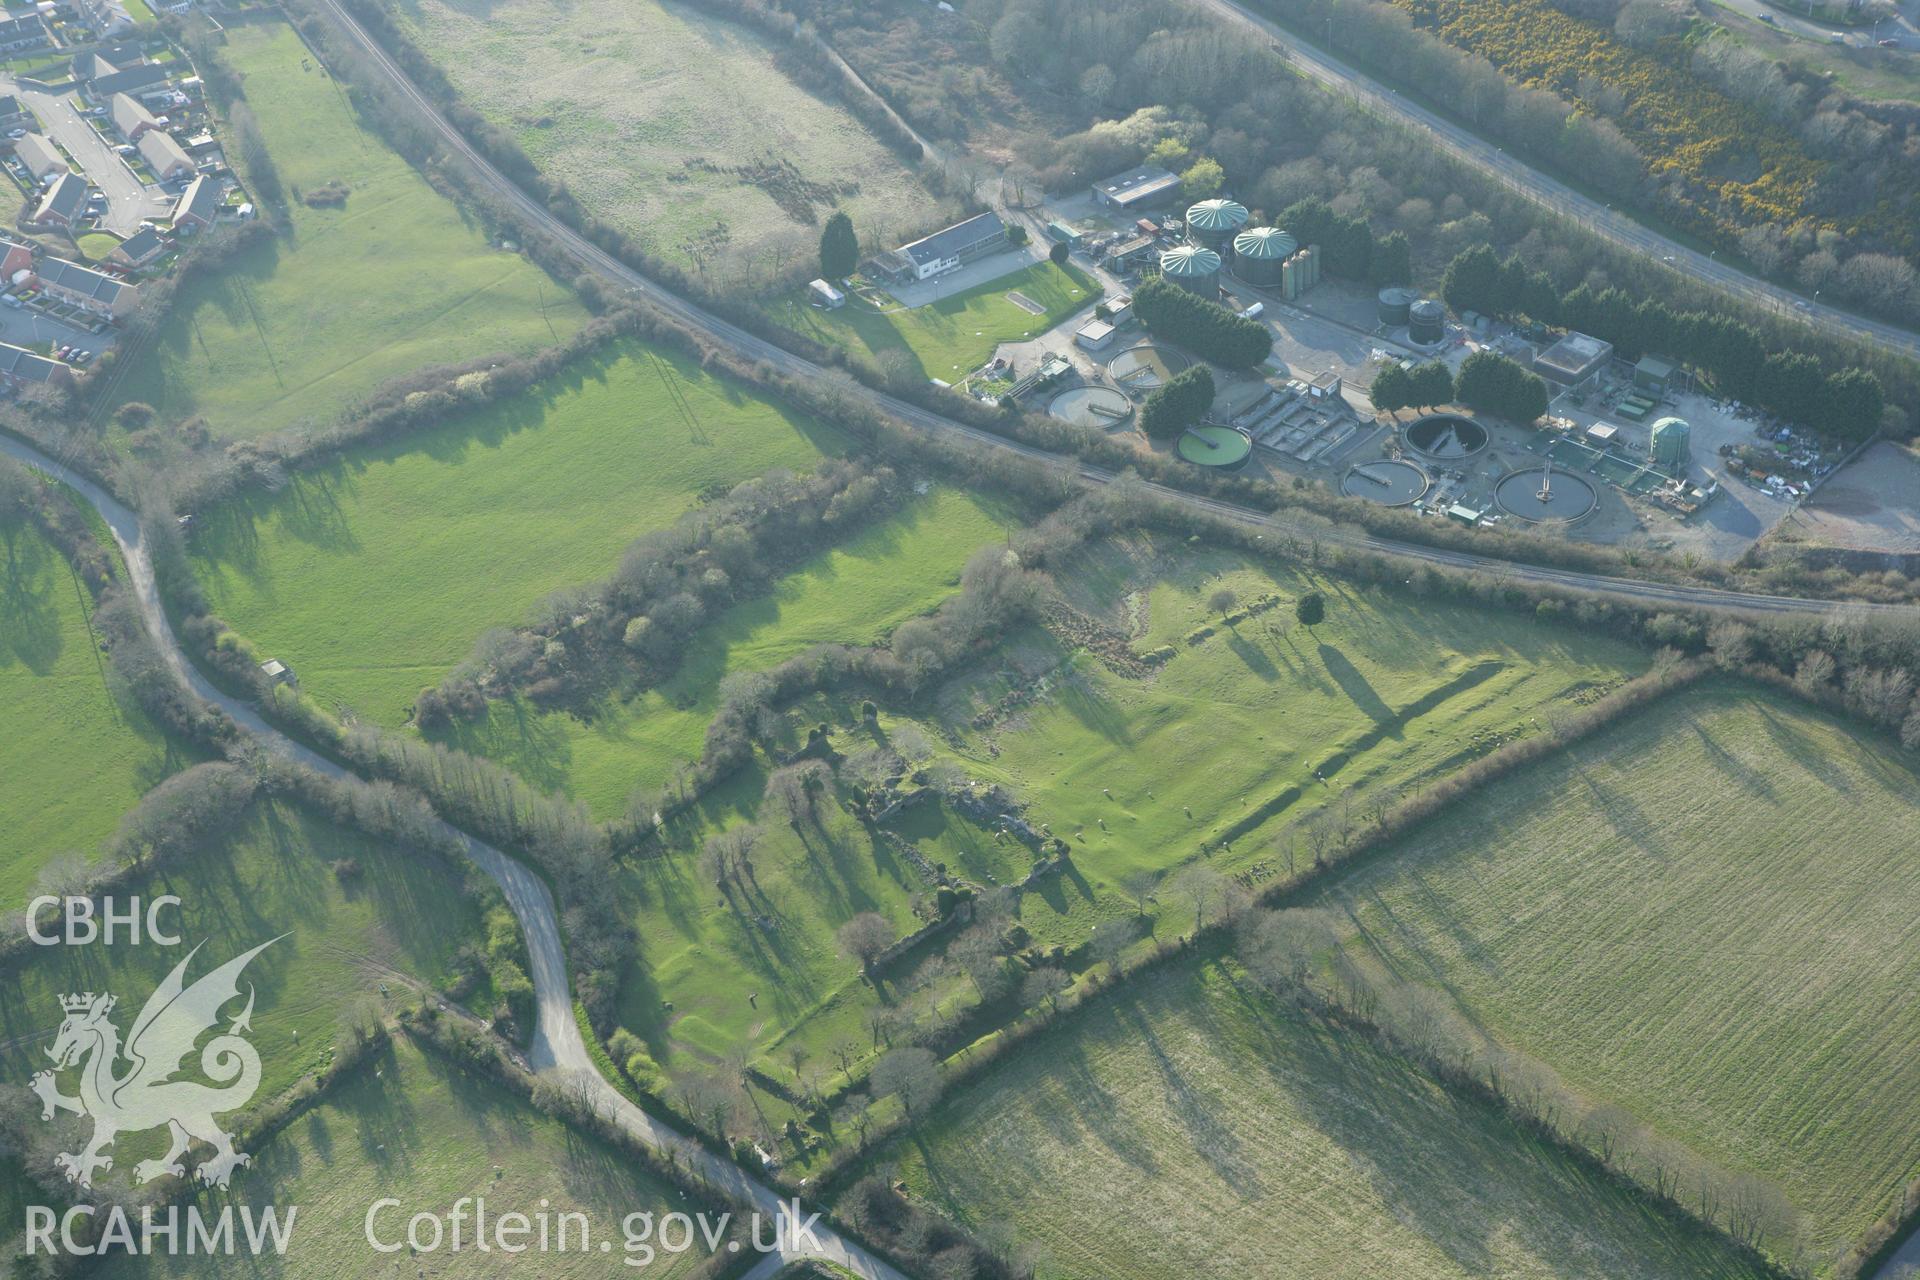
850,596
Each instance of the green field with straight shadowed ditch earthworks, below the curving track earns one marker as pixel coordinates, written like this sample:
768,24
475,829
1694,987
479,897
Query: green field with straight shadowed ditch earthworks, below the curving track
1226,740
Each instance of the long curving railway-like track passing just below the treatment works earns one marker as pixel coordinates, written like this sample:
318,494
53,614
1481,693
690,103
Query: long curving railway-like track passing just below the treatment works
792,366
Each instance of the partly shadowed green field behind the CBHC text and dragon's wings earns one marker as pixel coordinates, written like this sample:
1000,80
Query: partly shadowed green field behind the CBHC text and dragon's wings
402,918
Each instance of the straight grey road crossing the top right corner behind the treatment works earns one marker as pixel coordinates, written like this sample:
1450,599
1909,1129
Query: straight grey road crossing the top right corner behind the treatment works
1554,195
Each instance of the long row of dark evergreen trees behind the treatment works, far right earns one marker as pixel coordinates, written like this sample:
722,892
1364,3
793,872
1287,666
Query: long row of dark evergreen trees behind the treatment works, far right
1794,385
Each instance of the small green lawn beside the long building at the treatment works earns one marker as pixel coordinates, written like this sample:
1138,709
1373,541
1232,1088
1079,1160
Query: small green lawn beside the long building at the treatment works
957,335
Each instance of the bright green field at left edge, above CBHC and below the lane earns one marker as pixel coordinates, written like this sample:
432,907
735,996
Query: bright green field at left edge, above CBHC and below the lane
72,759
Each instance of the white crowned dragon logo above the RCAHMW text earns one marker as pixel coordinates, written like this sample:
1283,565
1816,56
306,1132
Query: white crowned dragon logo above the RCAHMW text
143,1095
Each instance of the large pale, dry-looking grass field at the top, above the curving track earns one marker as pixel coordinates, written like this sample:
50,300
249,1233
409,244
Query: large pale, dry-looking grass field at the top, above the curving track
673,126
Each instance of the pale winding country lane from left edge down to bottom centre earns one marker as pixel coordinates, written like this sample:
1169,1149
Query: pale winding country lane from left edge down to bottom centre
558,1043
